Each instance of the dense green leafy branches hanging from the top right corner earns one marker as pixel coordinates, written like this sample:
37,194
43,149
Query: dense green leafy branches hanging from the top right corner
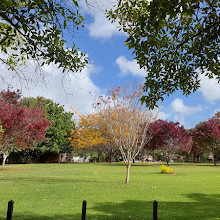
174,41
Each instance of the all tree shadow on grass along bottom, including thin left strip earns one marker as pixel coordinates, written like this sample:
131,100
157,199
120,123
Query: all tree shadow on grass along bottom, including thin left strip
201,206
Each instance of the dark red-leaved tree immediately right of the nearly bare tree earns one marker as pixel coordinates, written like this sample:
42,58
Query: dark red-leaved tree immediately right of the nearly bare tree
168,137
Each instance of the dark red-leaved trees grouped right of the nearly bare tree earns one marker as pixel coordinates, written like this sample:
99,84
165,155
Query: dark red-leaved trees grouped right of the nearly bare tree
171,138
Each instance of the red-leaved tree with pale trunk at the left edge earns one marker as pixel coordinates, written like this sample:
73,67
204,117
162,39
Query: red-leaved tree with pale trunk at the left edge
22,126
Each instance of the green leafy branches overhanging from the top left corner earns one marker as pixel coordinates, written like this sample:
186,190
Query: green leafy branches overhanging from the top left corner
33,29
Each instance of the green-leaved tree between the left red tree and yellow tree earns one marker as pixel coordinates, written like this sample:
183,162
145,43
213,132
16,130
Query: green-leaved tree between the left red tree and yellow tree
59,130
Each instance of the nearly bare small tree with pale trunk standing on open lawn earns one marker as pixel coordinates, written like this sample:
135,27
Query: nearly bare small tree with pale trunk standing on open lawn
126,120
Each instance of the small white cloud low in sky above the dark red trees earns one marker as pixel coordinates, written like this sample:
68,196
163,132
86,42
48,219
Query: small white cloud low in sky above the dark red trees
178,106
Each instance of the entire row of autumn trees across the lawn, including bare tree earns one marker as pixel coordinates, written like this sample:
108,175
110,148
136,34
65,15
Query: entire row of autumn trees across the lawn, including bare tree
120,127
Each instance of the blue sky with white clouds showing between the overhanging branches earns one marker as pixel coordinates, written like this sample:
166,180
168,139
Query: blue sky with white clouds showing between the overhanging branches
111,64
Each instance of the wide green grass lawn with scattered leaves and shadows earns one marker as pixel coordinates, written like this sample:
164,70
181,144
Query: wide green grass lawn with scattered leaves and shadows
56,191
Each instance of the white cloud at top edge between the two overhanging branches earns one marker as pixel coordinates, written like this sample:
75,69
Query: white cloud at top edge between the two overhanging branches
100,27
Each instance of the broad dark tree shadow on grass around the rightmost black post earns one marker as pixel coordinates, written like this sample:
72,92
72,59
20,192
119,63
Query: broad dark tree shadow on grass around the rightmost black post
202,206
